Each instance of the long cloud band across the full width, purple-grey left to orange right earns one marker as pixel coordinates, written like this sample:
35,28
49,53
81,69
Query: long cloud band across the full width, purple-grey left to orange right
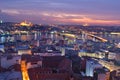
53,17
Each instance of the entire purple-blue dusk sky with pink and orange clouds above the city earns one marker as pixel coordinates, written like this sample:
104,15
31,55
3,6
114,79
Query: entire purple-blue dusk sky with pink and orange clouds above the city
93,12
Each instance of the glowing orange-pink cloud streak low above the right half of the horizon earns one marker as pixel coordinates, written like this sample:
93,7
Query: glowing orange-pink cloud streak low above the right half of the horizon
90,21
